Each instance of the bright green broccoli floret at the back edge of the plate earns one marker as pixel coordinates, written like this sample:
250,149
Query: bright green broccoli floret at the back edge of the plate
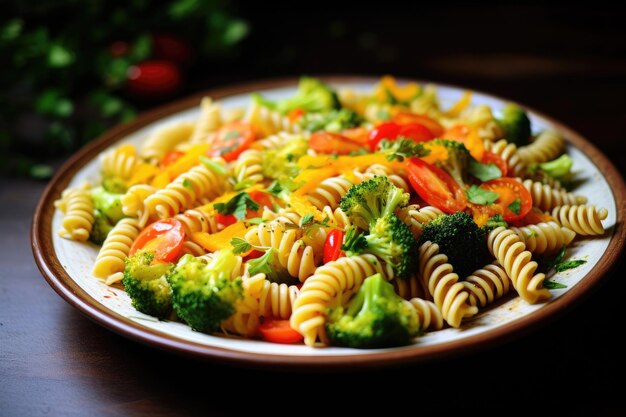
312,96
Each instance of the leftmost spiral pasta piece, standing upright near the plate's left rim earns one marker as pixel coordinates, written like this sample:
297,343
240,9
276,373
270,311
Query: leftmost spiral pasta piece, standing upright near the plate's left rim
77,206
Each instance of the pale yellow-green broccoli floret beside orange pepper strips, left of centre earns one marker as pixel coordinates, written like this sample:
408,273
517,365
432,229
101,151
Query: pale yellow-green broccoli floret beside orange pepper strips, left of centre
283,162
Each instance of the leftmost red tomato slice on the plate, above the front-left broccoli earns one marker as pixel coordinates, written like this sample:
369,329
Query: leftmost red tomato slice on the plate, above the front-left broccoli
163,238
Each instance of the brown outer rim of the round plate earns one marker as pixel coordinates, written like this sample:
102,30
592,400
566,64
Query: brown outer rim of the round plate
68,289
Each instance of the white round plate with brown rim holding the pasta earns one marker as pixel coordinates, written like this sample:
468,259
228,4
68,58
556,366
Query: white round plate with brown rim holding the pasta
66,265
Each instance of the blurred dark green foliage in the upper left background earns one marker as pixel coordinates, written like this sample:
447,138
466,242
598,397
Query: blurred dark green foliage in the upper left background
62,81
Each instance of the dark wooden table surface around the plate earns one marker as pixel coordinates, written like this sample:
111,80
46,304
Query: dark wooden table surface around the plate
54,361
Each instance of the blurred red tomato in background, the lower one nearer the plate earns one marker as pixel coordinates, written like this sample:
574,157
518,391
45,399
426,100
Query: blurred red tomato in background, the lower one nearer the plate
153,79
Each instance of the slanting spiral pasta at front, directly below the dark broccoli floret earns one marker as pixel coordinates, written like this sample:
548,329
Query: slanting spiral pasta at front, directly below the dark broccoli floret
443,285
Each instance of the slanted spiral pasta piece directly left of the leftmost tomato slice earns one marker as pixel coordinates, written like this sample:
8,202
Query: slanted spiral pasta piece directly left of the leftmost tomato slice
109,263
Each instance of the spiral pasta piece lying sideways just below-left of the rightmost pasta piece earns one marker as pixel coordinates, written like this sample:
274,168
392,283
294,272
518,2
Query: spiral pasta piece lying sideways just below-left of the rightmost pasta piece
544,237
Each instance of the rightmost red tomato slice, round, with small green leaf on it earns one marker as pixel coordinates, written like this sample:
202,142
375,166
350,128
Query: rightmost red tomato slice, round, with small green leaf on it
509,190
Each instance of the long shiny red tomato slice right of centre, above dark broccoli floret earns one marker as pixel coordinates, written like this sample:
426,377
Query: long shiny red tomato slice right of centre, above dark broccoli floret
435,186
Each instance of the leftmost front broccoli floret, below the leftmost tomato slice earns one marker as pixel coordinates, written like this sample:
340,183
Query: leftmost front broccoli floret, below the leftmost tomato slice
146,284
